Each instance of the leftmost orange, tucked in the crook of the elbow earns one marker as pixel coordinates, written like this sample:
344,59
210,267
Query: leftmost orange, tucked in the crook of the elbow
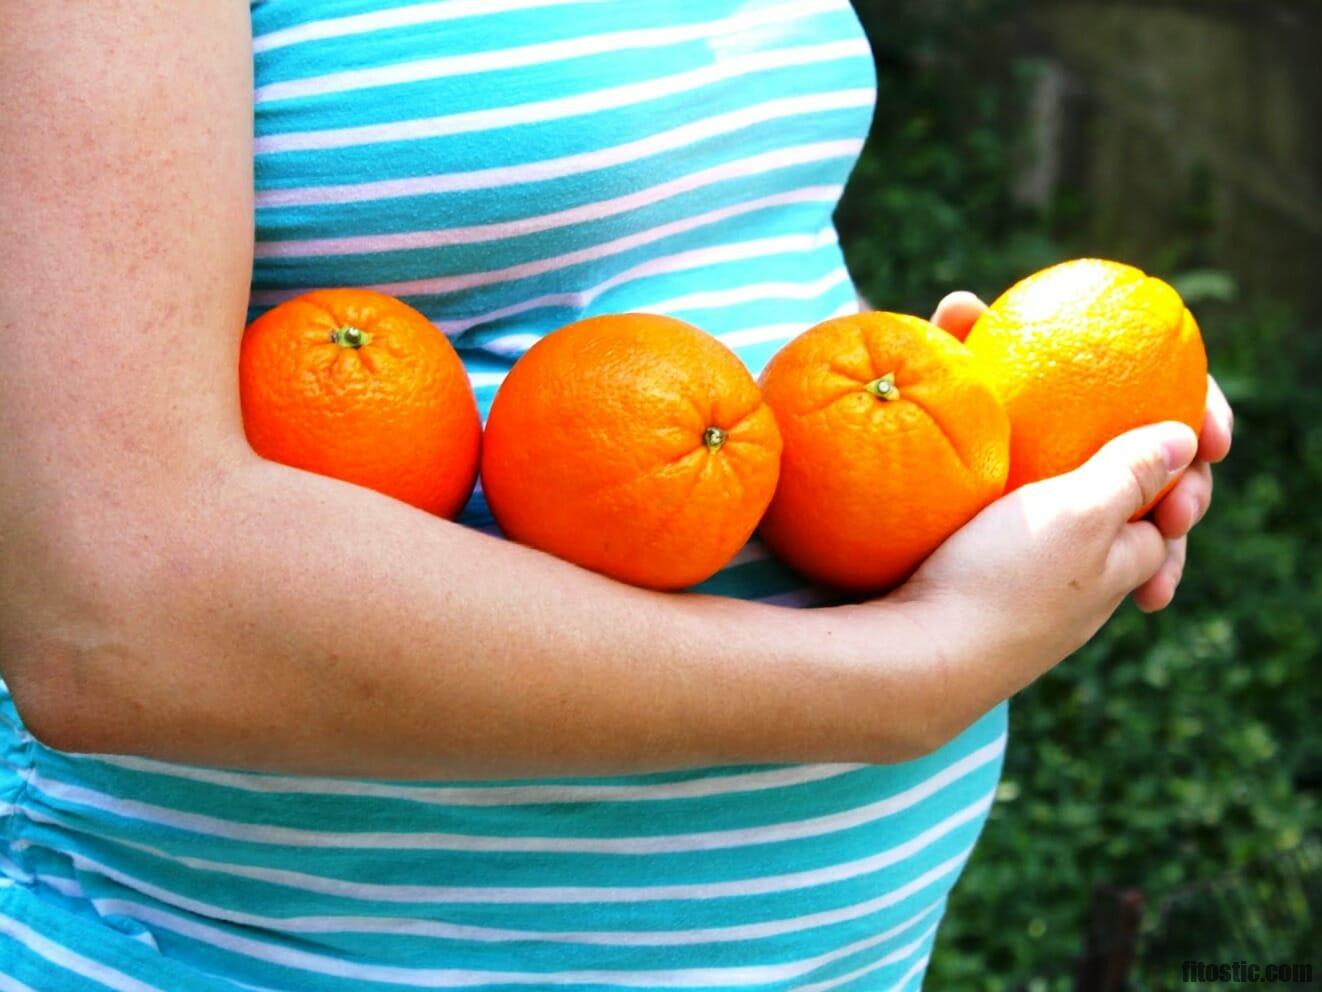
362,387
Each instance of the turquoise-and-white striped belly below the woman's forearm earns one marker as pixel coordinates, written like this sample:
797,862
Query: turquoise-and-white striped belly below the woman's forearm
767,876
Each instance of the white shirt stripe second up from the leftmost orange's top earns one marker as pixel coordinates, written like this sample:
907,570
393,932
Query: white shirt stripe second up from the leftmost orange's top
445,237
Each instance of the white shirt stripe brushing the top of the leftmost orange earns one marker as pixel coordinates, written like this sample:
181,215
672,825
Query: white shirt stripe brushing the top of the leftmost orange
541,267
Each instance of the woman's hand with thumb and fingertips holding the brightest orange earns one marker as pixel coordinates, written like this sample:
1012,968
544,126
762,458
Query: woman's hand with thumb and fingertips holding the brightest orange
1037,573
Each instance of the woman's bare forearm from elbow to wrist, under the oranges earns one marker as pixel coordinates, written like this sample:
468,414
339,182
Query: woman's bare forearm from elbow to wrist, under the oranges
294,624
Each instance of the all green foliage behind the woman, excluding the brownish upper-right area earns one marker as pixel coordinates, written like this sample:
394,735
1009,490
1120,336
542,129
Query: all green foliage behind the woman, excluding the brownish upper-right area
1175,748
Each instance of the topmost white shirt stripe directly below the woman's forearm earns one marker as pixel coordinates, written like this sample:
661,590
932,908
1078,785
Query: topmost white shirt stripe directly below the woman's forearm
490,796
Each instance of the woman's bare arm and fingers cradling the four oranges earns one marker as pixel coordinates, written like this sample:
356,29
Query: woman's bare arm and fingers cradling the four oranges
167,593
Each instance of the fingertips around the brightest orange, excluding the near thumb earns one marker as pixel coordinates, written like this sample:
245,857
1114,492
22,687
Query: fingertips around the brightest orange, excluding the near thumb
1184,506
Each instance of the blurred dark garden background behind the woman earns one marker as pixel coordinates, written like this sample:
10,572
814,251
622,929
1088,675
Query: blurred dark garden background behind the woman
1161,796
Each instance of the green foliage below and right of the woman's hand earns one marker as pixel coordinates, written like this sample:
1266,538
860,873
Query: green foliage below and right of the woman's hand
1184,745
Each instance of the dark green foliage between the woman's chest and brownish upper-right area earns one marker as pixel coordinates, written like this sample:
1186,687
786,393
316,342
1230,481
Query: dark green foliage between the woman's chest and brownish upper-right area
929,207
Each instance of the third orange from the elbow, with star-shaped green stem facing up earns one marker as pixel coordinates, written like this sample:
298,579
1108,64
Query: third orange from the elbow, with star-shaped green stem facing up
894,440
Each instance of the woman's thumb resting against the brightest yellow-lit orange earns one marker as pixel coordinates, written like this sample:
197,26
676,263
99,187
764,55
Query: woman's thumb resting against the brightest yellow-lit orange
1131,470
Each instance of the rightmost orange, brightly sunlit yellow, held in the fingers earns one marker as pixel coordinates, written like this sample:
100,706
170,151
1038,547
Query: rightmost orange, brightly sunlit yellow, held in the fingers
1085,351
